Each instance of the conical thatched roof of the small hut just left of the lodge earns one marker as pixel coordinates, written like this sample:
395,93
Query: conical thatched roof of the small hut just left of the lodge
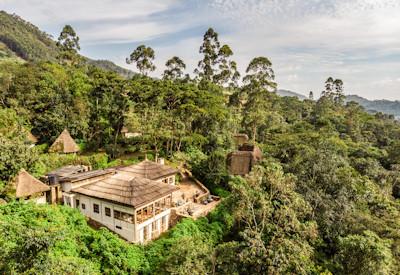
26,185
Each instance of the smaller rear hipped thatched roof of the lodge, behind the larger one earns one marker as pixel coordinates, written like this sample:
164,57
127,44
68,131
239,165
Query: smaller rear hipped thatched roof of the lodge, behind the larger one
149,170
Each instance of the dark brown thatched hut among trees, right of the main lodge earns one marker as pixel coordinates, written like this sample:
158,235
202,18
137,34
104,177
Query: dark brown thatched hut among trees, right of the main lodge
240,162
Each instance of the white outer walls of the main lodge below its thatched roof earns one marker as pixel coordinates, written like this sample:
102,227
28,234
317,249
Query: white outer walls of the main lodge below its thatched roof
138,233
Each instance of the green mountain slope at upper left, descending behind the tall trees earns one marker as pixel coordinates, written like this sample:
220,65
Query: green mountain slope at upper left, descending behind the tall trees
21,39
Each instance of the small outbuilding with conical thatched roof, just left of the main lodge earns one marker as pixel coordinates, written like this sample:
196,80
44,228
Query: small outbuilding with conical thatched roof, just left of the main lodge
28,187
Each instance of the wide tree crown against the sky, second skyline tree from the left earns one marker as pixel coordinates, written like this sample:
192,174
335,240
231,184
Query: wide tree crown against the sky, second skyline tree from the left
143,57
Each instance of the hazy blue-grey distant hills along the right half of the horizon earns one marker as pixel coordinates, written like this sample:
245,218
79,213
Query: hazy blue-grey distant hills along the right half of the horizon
372,106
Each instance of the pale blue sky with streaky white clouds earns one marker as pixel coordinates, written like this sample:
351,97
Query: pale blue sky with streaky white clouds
357,41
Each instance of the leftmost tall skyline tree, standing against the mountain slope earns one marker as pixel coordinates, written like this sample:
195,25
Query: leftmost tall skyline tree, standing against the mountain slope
68,44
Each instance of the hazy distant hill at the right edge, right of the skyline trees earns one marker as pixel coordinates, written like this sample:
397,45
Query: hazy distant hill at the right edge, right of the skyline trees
373,106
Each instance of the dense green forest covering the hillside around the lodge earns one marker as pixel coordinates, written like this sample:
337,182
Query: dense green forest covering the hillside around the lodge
325,199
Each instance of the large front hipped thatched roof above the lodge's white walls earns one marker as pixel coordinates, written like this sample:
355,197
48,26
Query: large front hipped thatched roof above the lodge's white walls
127,190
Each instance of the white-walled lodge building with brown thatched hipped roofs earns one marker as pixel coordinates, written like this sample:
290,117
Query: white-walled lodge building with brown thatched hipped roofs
133,201
